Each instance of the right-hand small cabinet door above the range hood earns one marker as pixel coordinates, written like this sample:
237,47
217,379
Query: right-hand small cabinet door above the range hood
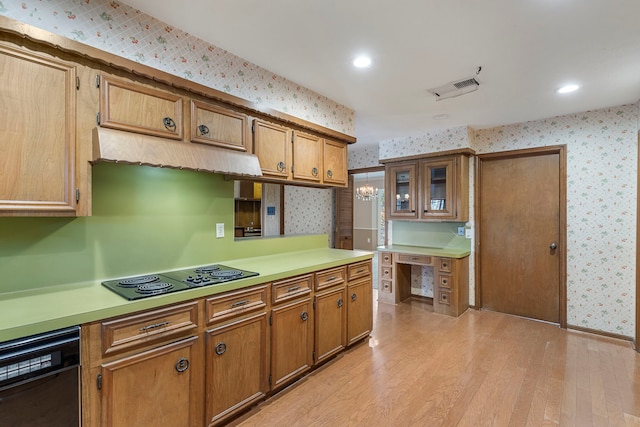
218,126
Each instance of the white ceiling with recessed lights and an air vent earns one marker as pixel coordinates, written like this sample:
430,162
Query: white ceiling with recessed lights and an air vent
526,48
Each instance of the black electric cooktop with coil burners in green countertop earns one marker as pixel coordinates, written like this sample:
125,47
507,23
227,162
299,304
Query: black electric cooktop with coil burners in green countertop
149,285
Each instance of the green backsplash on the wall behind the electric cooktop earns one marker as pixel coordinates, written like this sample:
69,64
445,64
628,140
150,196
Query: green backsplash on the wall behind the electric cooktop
144,219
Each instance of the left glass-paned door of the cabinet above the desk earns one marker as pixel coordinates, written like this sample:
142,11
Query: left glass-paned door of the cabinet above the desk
401,195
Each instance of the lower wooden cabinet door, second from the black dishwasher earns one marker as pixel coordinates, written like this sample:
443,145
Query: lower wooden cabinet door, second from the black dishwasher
236,371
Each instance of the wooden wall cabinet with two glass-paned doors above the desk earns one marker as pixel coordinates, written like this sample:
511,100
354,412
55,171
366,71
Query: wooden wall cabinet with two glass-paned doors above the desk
429,189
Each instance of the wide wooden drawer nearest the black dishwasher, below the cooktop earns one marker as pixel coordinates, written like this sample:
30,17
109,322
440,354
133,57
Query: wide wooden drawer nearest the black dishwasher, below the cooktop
134,331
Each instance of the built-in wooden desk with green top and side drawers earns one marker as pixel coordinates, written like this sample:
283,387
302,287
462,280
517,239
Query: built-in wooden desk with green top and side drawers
450,276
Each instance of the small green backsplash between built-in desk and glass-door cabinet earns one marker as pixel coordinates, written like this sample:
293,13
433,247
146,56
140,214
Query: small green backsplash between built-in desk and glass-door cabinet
429,234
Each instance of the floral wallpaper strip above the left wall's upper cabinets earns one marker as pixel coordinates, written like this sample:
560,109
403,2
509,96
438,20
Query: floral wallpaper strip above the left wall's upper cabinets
117,28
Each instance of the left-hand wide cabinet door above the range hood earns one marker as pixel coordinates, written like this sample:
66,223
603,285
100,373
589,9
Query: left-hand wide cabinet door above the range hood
136,108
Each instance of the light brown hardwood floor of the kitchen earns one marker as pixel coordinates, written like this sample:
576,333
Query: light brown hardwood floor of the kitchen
481,369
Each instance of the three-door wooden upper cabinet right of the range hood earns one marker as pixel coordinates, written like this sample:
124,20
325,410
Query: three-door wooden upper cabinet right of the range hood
298,157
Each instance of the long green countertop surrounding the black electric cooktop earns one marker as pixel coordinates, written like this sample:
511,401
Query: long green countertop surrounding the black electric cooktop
40,310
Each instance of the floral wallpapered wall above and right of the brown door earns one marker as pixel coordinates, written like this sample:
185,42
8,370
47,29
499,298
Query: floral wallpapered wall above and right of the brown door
602,159
